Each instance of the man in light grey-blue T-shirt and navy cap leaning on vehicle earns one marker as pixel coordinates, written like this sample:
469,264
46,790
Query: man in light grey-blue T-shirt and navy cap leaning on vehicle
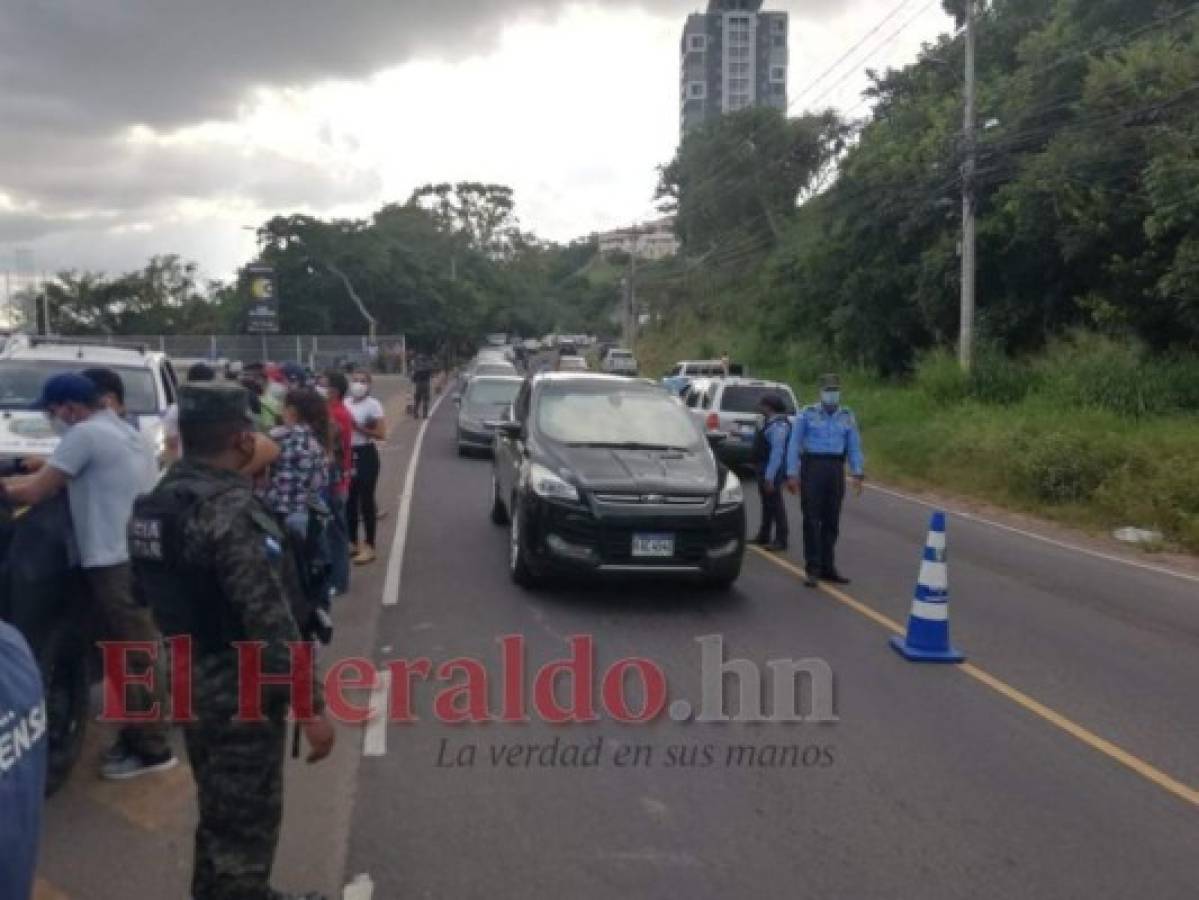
104,466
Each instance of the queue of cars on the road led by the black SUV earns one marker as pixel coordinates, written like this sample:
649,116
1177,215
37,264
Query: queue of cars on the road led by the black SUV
602,475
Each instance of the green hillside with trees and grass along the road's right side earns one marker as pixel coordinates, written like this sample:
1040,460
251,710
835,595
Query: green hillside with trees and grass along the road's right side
827,245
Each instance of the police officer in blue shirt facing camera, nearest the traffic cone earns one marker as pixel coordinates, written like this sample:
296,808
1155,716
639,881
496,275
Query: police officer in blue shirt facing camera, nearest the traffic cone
826,438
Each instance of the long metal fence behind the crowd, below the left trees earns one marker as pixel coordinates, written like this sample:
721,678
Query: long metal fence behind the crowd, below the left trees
320,352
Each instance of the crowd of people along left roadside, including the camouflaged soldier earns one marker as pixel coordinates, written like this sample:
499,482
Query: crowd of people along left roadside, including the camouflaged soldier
272,484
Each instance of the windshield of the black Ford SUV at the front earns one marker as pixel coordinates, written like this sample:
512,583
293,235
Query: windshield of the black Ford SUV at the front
614,415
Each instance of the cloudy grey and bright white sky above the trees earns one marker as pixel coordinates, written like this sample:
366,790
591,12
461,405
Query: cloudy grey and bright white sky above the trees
135,128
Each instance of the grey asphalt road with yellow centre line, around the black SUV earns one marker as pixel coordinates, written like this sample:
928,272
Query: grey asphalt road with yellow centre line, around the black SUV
987,782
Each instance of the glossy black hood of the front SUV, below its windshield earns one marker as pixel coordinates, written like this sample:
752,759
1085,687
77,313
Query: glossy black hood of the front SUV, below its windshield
641,472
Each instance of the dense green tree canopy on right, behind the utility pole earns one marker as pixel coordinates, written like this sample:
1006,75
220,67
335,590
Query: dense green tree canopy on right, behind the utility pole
1086,190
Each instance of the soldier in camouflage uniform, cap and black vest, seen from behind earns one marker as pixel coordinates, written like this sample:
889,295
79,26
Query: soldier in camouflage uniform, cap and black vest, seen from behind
212,563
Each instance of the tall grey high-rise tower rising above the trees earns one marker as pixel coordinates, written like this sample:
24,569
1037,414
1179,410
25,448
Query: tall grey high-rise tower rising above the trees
733,57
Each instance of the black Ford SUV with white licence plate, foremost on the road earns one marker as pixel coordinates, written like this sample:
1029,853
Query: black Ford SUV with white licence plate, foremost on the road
604,475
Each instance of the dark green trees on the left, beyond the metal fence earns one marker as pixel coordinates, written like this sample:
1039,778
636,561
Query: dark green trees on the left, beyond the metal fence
444,268
